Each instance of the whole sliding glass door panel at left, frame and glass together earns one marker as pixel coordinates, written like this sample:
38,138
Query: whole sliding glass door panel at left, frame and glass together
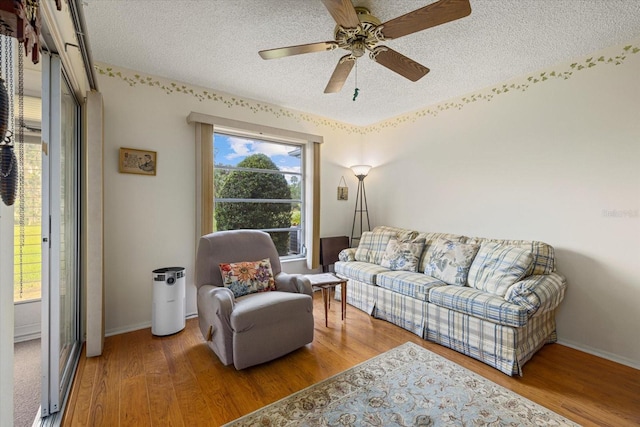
60,235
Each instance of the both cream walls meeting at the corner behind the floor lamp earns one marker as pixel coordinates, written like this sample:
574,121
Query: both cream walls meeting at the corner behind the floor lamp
548,162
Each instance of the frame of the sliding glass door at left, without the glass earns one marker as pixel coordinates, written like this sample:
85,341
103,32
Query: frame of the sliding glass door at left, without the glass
57,374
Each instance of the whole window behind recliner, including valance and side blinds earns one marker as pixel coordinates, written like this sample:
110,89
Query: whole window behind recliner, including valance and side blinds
221,147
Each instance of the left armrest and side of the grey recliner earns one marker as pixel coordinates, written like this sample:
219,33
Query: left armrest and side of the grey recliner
215,305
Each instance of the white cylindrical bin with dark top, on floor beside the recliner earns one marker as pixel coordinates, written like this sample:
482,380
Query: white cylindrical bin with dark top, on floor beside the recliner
168,313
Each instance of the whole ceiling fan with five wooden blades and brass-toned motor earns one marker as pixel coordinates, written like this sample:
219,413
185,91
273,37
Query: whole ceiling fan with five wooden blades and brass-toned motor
357,31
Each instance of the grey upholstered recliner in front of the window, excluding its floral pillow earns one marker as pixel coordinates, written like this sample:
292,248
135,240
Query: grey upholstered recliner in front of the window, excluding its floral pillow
258,327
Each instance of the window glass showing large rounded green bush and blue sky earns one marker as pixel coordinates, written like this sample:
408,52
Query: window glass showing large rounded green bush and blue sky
259,184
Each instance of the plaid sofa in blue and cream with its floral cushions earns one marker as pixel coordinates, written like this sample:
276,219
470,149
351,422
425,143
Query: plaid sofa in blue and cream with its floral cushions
494,300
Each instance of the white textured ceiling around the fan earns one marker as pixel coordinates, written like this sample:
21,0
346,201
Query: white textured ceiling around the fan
215,44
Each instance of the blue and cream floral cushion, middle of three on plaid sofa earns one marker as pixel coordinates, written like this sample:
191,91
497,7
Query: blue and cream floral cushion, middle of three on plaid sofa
450,261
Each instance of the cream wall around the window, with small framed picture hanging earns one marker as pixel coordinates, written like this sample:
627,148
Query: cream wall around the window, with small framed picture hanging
149,222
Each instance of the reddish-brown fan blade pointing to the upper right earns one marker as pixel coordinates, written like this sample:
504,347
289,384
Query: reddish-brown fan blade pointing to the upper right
437,13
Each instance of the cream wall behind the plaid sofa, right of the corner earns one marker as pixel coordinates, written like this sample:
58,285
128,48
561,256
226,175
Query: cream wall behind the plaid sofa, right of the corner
557,162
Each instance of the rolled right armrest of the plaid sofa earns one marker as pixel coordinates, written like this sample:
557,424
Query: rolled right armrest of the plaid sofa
538,293
